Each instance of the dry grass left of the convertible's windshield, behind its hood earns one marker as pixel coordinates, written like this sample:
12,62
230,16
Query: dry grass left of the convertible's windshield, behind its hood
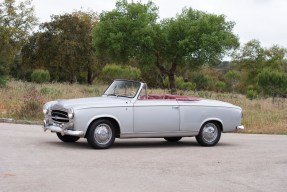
22,100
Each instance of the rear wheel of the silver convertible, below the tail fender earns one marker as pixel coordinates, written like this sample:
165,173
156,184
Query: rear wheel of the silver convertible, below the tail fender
209,134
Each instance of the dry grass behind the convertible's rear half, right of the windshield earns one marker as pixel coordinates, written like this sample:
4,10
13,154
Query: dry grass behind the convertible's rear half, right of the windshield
260,116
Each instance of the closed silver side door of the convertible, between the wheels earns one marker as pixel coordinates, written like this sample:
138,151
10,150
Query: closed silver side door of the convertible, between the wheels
156,116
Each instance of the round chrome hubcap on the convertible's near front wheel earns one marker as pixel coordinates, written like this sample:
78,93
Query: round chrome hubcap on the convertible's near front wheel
103,134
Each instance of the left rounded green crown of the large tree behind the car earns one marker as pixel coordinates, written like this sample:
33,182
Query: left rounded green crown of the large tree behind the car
123,32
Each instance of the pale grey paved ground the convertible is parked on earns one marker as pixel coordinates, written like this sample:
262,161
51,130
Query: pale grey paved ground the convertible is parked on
33,160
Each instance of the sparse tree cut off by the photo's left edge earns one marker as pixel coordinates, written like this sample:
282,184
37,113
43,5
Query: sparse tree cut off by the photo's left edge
16,23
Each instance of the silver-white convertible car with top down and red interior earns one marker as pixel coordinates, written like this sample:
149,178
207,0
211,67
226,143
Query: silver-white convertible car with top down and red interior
125,110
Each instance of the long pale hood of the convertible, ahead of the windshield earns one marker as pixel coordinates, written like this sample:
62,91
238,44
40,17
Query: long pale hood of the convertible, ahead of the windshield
90,102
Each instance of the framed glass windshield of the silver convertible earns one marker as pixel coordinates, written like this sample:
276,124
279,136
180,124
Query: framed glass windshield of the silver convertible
122,88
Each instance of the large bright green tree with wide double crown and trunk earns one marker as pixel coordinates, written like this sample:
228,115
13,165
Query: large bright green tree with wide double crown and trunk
192,38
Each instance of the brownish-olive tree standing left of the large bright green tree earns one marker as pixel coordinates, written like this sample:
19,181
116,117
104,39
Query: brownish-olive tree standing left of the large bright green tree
64,47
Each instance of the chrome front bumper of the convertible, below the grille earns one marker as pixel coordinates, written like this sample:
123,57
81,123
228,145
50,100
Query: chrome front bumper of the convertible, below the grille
61,128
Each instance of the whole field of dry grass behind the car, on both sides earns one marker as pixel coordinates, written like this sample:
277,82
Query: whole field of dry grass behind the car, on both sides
22,100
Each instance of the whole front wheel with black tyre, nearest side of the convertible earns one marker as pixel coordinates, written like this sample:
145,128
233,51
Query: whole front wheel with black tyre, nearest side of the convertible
101,134
